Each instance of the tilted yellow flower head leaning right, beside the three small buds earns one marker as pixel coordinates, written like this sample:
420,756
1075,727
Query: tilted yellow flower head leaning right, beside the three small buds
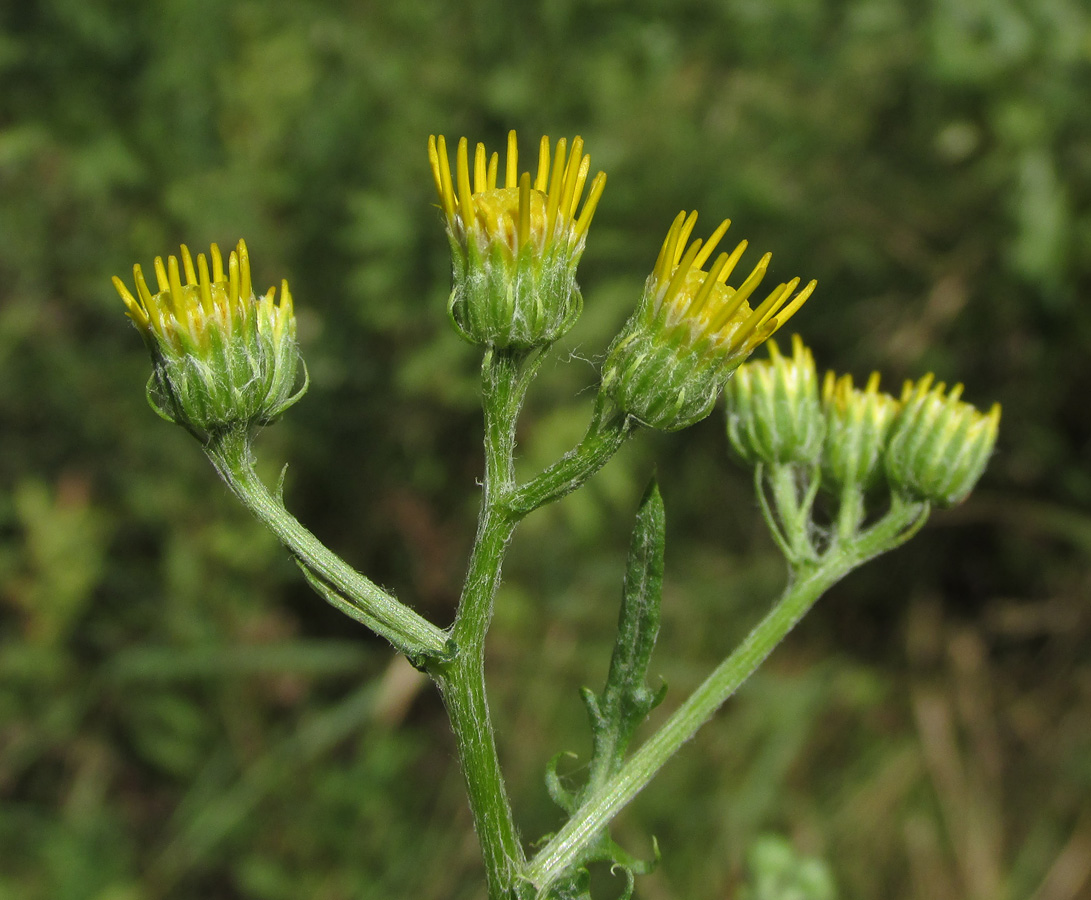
691,331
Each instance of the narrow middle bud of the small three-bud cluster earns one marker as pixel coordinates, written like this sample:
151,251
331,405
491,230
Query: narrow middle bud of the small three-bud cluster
858,424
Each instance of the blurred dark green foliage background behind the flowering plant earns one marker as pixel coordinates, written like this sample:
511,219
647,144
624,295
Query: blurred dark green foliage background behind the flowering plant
182,718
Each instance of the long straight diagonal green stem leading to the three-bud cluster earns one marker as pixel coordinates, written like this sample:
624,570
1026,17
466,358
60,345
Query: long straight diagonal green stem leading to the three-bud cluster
810,582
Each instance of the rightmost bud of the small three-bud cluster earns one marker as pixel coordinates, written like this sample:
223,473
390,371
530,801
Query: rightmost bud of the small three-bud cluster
939,446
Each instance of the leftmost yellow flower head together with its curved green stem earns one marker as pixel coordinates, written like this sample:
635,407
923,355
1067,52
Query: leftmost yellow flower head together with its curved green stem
226,363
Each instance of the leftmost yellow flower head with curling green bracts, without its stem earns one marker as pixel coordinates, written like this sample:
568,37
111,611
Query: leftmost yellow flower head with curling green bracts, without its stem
223,357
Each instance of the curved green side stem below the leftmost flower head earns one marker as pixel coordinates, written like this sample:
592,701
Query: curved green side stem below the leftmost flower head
406,630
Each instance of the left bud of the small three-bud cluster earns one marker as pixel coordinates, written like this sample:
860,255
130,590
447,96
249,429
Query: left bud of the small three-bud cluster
774,414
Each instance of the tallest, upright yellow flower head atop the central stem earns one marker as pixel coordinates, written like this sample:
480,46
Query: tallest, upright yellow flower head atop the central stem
515,246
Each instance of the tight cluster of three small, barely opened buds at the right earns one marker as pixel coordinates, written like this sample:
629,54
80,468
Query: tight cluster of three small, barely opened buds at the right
929,446
